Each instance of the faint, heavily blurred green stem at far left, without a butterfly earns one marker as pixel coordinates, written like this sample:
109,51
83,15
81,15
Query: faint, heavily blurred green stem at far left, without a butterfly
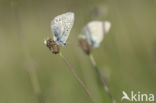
30,66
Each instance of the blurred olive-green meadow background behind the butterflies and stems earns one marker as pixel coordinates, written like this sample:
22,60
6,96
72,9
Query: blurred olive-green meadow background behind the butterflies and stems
126,57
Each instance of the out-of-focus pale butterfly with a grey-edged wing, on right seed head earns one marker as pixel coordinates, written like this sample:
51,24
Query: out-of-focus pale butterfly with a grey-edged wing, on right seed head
95,31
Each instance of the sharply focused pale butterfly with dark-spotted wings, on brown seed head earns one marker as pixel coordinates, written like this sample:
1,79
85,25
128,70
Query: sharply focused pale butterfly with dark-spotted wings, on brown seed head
61,26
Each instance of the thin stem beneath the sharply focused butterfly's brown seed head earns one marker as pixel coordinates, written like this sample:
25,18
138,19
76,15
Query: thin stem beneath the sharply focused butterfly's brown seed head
77,77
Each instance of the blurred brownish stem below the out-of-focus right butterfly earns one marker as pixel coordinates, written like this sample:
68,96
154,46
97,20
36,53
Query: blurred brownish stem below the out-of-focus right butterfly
101,78
